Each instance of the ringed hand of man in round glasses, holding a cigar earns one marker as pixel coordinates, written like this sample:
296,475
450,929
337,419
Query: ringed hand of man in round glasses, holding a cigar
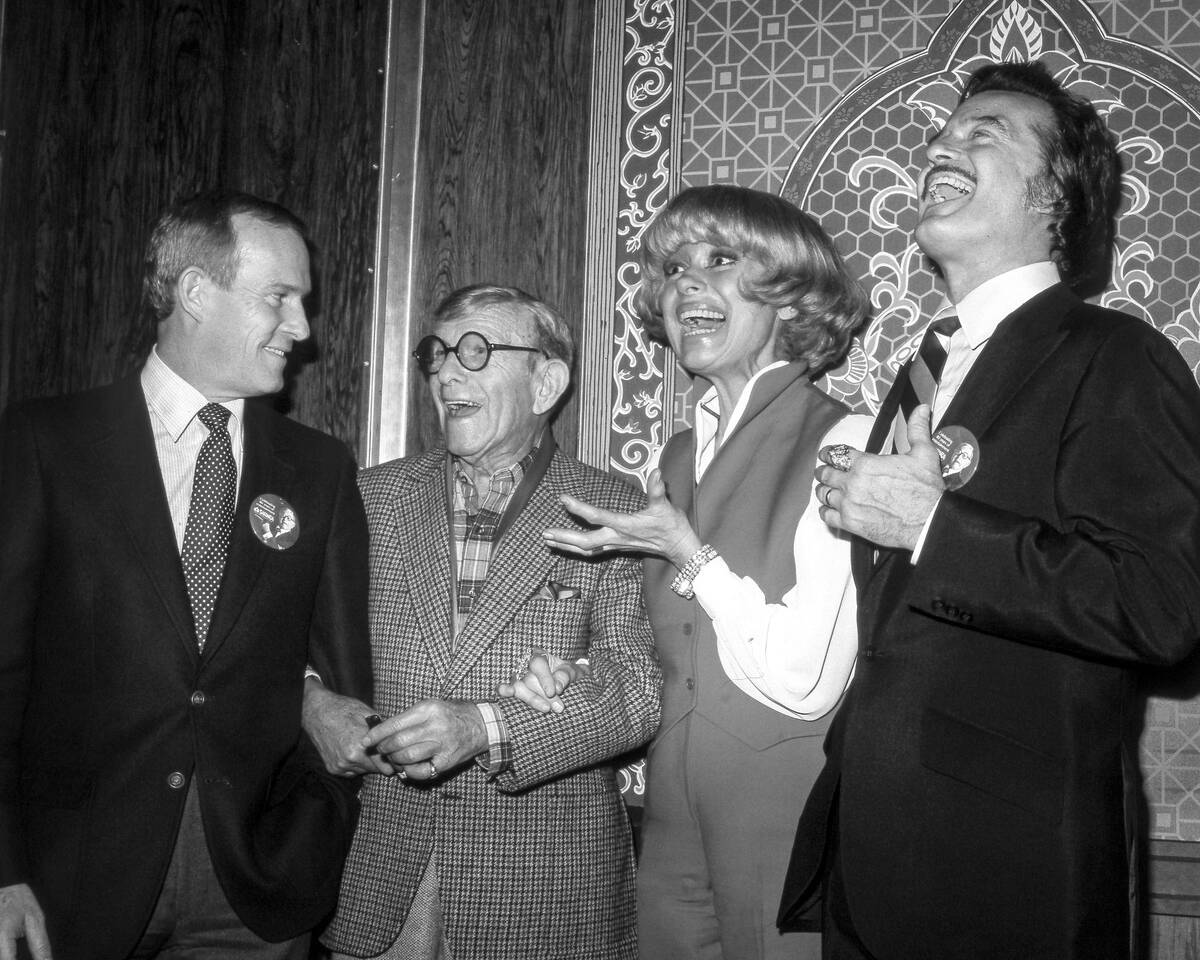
431,737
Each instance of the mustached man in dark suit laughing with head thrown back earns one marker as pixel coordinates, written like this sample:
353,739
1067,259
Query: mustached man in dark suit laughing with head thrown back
982,781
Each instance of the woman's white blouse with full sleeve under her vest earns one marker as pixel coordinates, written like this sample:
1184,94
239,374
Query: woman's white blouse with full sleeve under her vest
795,657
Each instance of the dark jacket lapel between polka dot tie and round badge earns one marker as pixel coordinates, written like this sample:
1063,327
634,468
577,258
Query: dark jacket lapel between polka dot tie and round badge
266,469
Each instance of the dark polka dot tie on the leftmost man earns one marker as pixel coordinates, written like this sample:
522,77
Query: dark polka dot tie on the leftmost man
209,519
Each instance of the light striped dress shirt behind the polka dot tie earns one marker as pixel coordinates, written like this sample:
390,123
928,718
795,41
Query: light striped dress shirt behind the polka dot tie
178,436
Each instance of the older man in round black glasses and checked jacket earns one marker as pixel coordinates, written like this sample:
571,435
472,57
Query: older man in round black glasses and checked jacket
505,835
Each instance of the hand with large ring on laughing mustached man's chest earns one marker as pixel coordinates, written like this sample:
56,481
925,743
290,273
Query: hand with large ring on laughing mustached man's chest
885,500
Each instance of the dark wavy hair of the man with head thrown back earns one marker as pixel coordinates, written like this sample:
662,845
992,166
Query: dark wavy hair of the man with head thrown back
1083,172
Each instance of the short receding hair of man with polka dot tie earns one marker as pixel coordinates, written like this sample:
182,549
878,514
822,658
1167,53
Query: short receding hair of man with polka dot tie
200,232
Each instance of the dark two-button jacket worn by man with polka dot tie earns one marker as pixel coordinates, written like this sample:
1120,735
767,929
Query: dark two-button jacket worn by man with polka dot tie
109,711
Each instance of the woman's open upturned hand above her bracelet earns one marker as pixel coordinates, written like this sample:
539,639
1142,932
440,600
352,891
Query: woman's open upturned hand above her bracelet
659,529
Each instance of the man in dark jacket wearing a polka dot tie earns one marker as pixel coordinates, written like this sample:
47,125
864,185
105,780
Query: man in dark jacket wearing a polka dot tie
157,791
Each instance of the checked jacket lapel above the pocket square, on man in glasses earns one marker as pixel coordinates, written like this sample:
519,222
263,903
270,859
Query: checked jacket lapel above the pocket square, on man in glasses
520,565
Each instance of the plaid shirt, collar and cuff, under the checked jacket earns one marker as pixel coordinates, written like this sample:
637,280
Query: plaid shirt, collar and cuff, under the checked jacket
475,532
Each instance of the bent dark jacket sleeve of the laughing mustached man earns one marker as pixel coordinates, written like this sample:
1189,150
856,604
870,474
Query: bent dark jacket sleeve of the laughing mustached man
1117,574
